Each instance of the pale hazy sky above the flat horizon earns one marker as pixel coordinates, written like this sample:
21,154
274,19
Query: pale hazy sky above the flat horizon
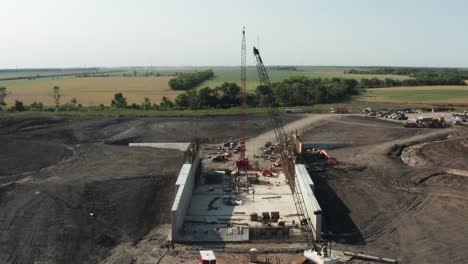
112,33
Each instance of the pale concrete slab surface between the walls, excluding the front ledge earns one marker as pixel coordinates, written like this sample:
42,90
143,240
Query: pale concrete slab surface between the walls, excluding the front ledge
211,202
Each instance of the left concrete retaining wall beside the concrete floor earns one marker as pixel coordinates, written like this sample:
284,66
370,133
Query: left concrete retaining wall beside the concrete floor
185,185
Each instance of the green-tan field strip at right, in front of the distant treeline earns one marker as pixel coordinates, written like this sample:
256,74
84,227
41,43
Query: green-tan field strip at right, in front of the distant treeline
421,94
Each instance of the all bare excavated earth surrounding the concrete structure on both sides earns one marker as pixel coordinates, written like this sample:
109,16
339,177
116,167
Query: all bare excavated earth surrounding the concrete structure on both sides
71,191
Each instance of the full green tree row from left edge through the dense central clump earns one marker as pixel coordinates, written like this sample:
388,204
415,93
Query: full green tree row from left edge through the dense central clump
290,92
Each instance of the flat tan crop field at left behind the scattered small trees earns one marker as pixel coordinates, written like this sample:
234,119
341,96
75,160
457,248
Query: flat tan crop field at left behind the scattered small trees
90,91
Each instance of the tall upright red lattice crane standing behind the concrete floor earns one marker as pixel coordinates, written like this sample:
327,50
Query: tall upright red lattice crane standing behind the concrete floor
243,162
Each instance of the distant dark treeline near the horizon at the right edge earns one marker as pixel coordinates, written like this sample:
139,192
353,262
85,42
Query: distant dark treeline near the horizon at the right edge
420,76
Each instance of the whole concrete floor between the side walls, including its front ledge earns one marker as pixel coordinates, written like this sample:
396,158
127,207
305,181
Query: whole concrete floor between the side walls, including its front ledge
219,213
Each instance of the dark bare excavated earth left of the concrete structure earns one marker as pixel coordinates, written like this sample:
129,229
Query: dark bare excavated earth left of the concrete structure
72,191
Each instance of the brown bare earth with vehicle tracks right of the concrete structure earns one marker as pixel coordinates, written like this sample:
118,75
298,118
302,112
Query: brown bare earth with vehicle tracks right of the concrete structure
377,204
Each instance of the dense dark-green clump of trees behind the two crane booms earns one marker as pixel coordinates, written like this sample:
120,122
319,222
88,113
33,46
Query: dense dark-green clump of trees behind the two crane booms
290,92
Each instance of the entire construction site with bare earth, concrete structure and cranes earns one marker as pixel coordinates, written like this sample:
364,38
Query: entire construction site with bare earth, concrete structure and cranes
275,188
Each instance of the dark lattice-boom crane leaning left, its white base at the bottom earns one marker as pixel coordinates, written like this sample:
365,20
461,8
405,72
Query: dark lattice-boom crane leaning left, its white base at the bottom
287,166
